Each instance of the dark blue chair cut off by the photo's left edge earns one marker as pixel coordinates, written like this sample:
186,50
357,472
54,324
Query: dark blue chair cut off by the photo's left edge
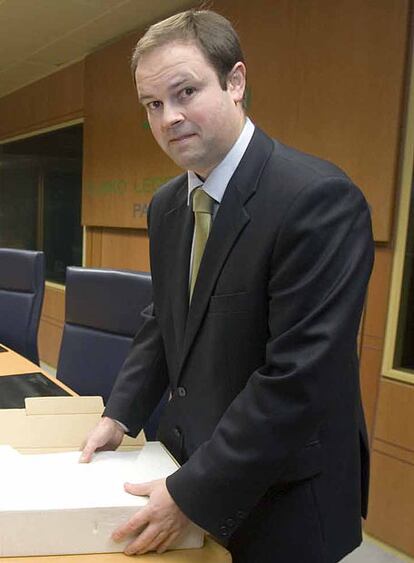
22,286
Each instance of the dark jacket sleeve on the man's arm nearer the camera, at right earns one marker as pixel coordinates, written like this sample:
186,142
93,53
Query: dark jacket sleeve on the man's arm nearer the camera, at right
317,277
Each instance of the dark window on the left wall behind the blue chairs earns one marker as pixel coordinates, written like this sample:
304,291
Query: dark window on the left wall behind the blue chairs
40,197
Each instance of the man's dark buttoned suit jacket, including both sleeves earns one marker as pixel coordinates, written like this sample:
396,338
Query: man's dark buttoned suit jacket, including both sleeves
265,414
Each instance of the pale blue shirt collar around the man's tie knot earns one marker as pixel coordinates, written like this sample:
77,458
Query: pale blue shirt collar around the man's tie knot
216,182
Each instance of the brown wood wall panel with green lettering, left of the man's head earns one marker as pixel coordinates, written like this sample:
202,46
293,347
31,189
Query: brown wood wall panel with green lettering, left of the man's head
123,165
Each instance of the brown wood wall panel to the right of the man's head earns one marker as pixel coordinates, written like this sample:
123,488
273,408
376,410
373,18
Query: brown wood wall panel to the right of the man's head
328,78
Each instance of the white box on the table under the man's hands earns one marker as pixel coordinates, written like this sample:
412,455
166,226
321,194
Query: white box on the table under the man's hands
50,504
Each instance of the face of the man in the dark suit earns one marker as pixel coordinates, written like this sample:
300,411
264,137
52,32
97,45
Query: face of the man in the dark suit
193,120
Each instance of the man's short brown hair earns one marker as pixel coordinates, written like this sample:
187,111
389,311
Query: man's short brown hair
211,32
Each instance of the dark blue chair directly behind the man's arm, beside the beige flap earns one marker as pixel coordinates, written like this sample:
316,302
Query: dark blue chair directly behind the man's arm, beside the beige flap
102,317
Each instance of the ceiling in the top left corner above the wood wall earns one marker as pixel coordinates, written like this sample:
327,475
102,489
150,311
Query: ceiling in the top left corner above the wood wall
38,37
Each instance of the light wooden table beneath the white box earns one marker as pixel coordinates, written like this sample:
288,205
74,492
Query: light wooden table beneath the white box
12,363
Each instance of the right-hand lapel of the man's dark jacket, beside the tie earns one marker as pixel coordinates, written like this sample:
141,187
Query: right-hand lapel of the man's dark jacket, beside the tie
231,219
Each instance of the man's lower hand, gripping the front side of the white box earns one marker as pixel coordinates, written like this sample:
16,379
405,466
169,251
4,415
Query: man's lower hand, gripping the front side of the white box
157,525
